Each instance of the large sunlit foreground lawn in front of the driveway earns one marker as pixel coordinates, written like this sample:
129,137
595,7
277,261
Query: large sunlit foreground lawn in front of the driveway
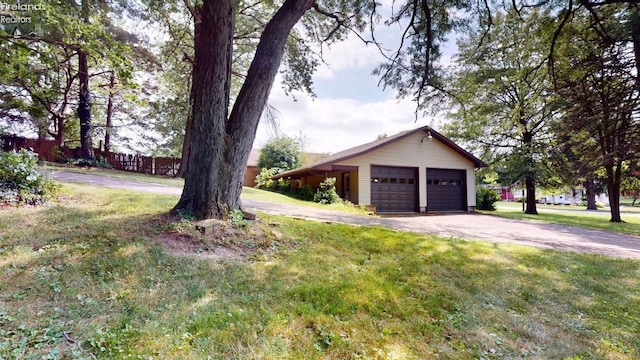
89,268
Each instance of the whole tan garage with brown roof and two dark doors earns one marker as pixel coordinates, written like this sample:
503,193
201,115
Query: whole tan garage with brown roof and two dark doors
414,171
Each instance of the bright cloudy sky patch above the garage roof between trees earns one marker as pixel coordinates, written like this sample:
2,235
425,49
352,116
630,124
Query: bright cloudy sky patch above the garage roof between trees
349,109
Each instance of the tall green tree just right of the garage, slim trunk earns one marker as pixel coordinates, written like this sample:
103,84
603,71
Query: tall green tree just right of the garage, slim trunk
507,97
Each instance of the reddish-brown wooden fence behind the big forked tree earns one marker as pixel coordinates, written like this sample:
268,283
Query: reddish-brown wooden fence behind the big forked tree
48,150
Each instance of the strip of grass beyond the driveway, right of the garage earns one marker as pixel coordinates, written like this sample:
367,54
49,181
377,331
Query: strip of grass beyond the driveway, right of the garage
573,215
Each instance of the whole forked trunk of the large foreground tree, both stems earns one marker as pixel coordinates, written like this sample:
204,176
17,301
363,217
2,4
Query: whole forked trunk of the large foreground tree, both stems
220,147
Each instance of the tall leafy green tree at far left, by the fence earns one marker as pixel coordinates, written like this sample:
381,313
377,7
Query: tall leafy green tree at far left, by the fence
54,59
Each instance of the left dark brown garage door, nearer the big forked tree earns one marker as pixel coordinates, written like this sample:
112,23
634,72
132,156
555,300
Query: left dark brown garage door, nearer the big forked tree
393,189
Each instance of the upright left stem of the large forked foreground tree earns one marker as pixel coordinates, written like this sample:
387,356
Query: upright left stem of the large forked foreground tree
203,192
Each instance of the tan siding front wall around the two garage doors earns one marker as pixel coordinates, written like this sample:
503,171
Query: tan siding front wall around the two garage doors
412,151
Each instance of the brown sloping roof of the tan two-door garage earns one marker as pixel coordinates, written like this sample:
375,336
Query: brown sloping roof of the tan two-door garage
327,163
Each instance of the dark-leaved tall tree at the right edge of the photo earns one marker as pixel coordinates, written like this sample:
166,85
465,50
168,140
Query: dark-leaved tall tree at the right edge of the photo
603,99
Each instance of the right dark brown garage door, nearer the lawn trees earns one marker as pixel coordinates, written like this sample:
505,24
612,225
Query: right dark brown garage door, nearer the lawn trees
446,190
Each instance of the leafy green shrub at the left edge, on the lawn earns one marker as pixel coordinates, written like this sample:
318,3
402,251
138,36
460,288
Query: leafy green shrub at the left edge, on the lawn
20,181
